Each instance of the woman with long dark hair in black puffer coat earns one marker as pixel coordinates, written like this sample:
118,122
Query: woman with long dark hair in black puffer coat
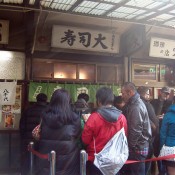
60,131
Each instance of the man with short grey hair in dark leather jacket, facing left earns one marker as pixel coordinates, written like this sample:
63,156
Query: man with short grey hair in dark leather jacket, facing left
139,129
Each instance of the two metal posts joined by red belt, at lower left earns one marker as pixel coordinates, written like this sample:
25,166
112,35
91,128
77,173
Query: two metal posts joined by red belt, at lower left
51,157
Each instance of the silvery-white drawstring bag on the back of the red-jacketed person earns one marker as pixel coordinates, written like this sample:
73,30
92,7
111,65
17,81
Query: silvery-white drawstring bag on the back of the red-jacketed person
114,154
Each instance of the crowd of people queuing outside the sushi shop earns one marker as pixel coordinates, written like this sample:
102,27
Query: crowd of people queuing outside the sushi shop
67,128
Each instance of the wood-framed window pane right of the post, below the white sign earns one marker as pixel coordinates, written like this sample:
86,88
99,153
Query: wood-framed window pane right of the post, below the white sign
144,71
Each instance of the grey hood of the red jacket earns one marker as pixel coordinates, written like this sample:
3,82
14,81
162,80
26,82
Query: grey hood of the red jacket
111,114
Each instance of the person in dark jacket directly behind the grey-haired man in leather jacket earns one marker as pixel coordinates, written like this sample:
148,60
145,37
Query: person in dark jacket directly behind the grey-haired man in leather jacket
154,121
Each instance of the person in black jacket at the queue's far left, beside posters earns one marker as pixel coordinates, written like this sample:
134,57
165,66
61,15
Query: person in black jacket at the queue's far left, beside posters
29,120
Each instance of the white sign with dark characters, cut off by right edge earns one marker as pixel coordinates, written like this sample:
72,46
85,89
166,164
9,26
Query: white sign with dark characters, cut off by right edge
162,48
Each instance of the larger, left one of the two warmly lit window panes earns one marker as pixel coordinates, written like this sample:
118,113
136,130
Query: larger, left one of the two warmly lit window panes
65,71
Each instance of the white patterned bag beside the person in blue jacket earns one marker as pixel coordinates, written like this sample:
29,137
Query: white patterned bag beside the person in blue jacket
167,150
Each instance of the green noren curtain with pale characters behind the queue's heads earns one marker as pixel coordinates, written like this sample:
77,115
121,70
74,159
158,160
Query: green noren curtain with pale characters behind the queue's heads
73,89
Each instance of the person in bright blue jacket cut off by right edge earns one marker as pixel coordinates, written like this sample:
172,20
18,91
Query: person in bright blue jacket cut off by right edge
167,135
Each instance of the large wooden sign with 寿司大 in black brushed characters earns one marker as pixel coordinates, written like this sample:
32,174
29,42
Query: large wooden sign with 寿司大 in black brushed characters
84,39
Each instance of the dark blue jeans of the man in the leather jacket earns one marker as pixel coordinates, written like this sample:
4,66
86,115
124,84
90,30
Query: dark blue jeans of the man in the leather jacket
135,168
